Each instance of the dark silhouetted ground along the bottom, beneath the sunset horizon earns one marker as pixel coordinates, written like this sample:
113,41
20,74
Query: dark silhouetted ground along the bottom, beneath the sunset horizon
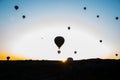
92,69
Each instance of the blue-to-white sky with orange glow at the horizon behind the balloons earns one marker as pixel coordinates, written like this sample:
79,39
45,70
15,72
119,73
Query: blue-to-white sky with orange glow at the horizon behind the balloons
33,37
